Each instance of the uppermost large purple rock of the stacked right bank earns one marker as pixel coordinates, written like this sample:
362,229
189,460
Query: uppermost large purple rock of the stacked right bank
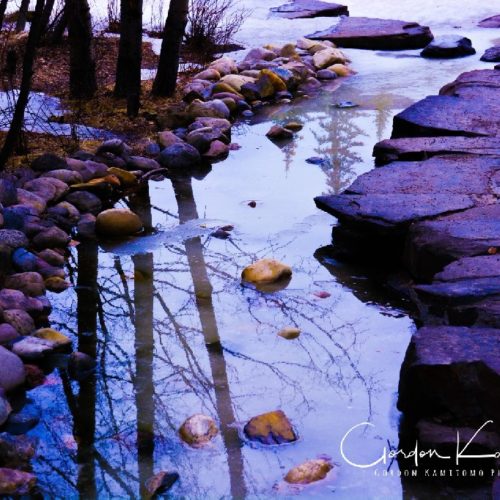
459,110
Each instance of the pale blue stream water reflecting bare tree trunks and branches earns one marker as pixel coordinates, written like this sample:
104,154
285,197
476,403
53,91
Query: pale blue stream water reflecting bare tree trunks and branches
176,333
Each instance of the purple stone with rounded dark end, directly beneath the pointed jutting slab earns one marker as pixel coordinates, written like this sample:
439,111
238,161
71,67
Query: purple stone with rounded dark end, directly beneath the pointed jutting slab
433,244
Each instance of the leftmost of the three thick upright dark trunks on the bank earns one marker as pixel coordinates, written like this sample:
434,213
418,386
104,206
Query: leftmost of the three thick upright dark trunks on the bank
82,77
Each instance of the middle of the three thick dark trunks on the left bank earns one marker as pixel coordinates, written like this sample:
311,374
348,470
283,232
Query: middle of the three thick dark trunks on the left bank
128,69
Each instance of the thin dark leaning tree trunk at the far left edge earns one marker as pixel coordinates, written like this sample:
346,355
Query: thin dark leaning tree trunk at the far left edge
13,135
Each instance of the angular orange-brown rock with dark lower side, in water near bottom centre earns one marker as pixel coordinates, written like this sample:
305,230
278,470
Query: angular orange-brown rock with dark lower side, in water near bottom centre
270,428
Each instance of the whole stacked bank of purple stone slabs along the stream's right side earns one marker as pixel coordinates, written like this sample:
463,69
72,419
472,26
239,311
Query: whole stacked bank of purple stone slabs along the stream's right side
434,207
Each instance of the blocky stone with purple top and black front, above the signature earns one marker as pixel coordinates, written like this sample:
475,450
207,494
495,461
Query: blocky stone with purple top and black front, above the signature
452,373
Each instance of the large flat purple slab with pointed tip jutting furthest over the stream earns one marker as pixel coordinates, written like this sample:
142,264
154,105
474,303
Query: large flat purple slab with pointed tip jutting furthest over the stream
406,192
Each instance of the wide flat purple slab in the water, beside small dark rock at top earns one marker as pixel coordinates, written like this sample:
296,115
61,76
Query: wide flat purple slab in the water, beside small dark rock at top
376,34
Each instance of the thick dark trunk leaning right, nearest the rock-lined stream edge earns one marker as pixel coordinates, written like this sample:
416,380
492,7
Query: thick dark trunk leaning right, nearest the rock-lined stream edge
173,33
